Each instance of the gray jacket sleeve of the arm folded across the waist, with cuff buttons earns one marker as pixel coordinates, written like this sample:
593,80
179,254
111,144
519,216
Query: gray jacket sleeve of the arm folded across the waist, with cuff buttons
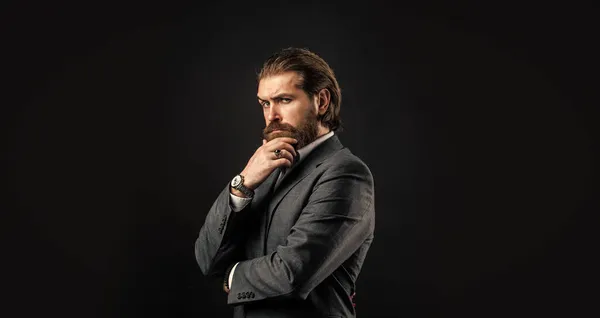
337,219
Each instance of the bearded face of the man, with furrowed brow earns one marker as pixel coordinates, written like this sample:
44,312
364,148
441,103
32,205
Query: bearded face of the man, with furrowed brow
288,110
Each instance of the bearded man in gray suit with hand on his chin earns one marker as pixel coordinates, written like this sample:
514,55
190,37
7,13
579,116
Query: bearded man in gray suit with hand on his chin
289,234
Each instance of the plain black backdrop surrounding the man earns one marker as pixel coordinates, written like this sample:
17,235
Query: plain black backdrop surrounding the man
476,120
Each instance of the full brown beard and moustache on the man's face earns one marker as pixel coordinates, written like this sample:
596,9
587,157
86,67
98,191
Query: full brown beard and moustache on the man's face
305,133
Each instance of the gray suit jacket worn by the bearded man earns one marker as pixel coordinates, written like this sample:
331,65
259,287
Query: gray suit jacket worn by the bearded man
301,246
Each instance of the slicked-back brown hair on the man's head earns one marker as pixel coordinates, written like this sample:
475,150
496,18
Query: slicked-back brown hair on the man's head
315,74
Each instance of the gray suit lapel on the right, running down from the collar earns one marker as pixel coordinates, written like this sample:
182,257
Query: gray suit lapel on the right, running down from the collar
297,174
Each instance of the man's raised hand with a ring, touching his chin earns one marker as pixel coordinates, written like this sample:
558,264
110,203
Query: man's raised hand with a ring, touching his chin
264,160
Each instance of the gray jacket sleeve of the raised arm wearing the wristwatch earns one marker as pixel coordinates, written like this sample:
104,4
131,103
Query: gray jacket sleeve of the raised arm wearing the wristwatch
220,241
